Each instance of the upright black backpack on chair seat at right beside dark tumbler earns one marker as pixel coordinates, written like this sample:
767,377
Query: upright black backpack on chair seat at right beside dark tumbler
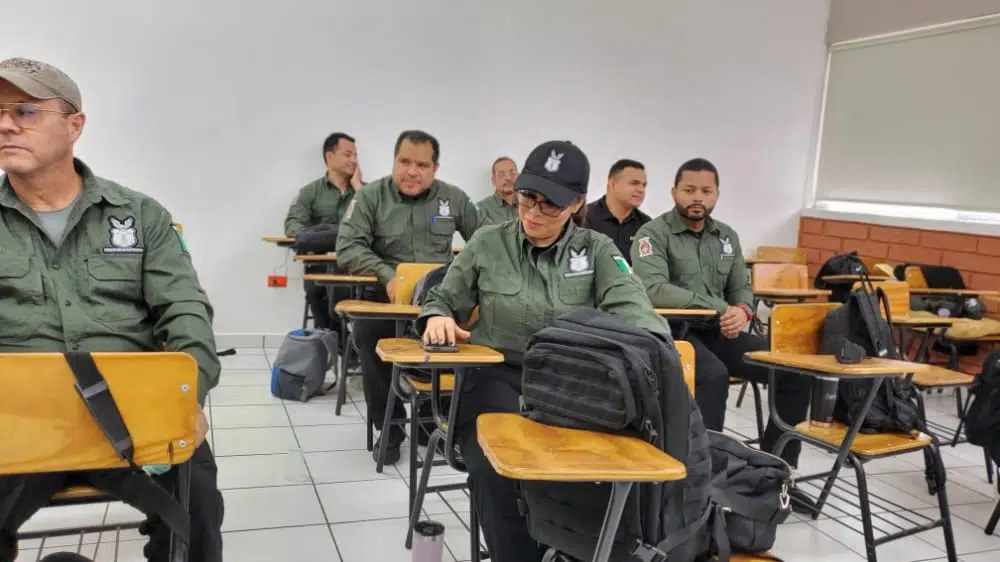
859,321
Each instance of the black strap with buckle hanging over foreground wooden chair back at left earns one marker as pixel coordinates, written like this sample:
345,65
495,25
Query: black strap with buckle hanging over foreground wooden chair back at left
133,485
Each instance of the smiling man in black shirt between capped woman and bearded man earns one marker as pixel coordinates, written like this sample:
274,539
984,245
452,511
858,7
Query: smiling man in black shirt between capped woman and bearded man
617,214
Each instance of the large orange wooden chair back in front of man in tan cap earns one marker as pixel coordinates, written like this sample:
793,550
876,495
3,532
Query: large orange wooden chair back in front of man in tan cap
156,393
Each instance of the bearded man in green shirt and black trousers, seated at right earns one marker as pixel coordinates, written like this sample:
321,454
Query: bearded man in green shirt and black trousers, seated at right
686,259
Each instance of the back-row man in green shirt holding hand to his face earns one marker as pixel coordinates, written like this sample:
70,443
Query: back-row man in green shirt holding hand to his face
324,201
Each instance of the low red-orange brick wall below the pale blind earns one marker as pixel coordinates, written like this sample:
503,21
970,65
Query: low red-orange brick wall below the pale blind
977,257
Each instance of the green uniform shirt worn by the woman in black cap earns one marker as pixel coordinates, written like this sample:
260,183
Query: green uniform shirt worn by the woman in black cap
520,289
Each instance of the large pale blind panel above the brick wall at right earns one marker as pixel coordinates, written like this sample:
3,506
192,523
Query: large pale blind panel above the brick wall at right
915,119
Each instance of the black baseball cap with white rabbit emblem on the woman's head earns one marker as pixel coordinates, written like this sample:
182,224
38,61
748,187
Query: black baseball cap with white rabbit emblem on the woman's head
557,170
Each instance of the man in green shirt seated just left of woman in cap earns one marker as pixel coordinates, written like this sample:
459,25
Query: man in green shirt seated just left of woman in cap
408,217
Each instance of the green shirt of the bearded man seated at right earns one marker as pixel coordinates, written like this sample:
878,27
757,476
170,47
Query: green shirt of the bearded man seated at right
684,269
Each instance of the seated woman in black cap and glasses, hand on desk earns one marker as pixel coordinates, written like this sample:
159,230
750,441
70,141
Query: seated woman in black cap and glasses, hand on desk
522,274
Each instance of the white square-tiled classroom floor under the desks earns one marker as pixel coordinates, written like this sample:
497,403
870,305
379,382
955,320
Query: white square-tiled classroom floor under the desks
334,507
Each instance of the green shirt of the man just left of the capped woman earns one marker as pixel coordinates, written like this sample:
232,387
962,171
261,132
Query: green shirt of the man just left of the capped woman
384,228
